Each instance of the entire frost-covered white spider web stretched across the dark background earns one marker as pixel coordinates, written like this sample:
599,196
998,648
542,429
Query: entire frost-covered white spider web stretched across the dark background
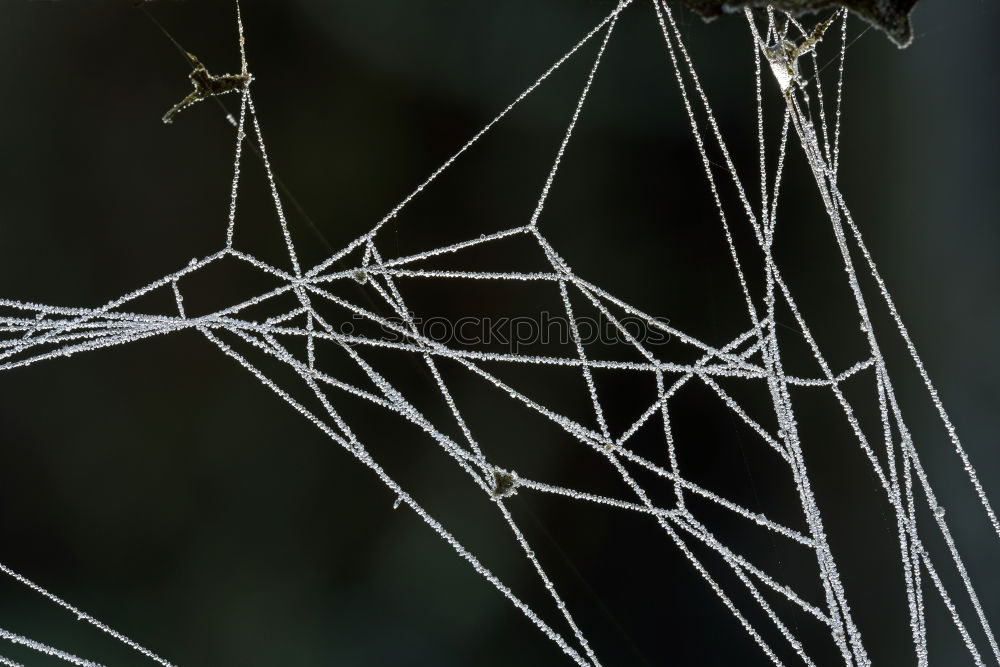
295,326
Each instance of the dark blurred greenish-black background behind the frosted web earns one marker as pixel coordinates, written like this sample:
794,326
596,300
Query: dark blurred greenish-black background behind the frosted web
162,490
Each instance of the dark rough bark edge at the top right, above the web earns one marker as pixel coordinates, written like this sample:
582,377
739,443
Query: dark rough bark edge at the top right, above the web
891,16
